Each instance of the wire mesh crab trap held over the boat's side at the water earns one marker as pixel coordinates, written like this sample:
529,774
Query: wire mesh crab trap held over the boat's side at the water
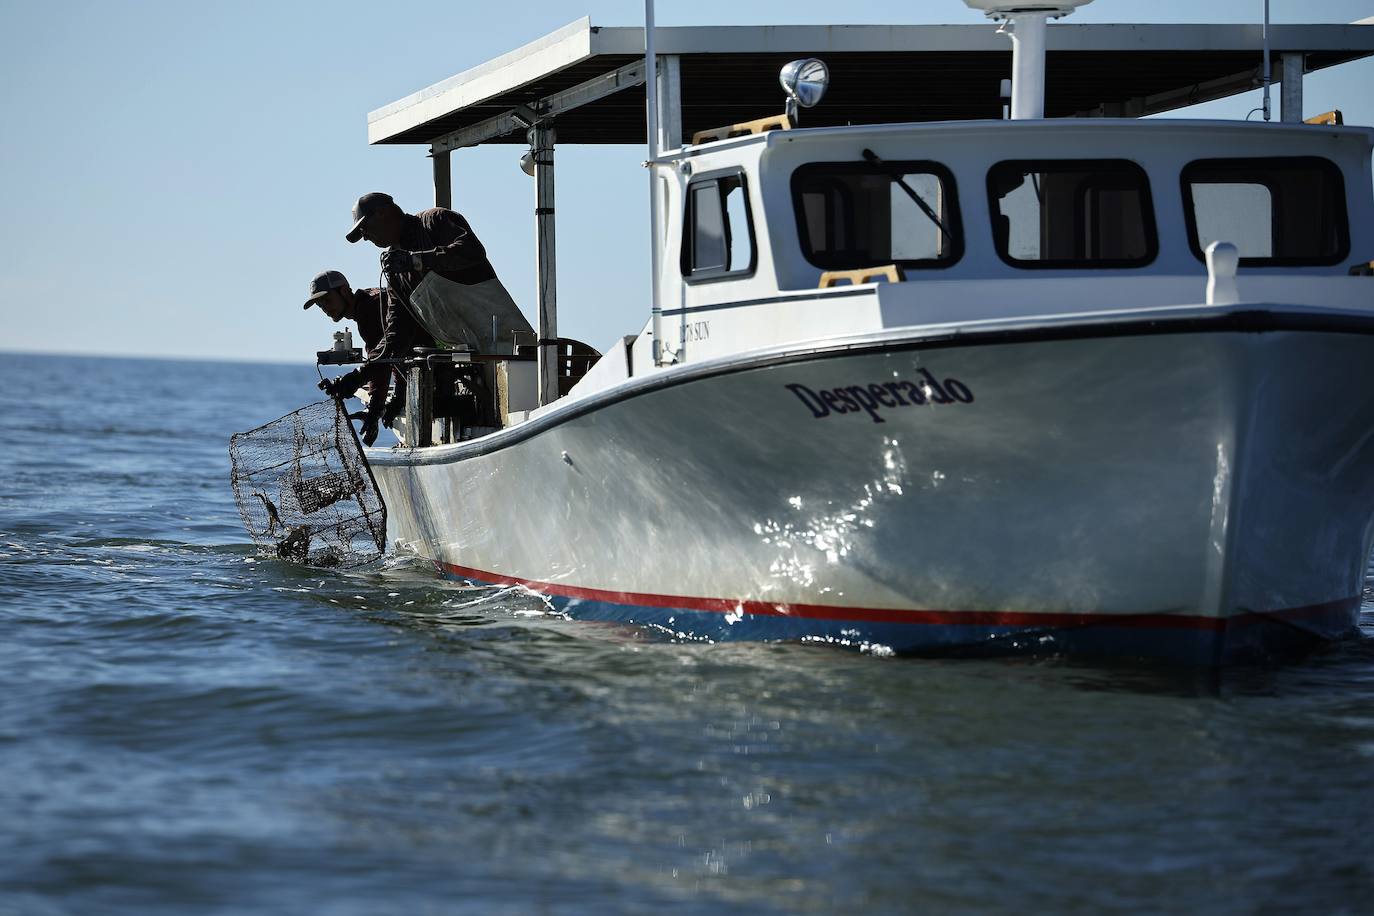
306,491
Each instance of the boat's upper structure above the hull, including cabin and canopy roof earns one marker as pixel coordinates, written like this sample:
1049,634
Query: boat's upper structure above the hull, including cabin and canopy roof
879,209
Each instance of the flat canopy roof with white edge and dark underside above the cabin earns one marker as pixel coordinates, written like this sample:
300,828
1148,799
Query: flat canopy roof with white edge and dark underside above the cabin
592,78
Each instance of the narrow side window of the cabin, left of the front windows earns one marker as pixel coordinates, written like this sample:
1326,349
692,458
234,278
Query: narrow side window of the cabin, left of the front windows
719,237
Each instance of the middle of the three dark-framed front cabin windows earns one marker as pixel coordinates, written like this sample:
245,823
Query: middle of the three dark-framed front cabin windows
1072,214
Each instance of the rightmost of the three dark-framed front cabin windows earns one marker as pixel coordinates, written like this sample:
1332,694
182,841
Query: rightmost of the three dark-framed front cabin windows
1277,212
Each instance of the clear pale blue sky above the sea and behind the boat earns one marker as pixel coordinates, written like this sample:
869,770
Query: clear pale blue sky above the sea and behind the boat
175,174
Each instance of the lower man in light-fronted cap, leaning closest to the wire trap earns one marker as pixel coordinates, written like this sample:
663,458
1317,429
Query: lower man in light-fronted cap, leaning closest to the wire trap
332,292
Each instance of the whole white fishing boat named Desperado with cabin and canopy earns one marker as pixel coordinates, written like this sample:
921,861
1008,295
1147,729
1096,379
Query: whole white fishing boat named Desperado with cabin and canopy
960,367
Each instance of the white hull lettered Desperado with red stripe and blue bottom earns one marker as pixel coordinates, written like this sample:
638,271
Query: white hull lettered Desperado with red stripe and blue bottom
1204,492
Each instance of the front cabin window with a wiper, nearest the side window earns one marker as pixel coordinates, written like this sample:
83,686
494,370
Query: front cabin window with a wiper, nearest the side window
862,215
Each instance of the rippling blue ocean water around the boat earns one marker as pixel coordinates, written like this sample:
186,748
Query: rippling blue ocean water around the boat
190,729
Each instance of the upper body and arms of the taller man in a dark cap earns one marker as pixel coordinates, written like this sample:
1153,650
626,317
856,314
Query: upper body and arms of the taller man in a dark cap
436,241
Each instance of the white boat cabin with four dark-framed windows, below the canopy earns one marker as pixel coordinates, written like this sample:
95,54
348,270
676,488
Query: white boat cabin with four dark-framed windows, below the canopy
949,212
